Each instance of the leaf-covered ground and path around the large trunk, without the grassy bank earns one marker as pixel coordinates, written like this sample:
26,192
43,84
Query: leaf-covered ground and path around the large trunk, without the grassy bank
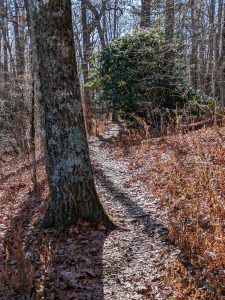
131,262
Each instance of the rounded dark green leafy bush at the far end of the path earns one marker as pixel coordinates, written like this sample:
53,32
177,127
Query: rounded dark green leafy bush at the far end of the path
139,72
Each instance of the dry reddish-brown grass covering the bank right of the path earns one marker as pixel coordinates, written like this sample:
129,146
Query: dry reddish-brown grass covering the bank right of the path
187,174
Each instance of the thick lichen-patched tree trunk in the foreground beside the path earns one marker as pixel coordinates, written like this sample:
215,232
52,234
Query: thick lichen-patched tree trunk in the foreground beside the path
71,183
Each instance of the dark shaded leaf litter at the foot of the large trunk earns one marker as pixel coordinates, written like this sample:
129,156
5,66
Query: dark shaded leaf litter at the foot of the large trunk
45,264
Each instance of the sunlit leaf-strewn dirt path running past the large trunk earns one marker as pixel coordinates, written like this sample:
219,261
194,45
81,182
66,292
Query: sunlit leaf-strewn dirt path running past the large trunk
134,260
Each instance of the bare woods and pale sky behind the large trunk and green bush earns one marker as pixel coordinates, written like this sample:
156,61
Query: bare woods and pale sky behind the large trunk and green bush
198,28
